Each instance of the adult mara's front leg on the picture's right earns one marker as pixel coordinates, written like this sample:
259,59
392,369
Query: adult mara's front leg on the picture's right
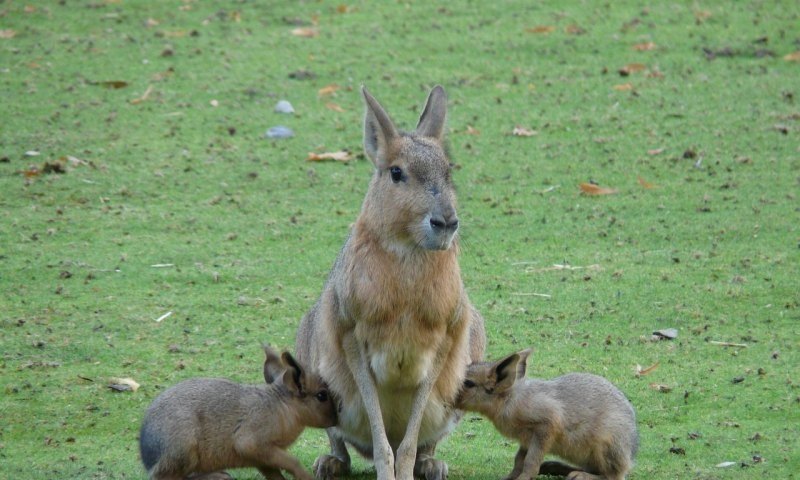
407,452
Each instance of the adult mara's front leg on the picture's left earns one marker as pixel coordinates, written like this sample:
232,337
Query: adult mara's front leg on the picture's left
382,454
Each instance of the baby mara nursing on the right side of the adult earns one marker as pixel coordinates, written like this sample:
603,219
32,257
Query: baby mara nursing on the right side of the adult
580,417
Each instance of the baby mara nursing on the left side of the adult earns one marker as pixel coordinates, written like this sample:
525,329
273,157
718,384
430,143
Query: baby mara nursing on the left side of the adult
205,425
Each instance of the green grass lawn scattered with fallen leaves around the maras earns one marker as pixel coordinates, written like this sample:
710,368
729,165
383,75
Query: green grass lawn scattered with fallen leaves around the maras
251,229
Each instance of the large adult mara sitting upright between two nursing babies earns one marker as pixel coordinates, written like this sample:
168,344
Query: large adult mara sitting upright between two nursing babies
393,330
